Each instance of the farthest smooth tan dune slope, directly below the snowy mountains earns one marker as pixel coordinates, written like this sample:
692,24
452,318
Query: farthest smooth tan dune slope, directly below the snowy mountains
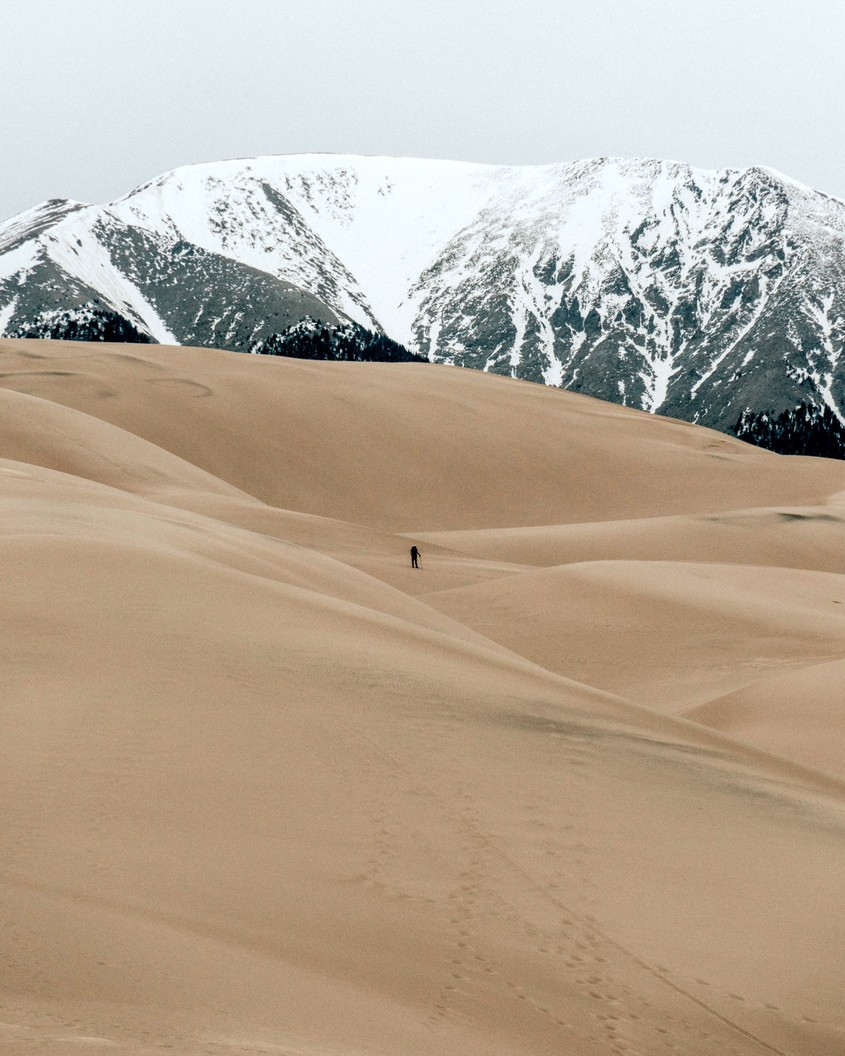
409,448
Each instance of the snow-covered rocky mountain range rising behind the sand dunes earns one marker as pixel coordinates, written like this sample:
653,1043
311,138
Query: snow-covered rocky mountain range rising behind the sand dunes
697,294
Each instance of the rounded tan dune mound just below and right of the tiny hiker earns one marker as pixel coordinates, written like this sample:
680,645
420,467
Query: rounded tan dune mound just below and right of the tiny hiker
670,635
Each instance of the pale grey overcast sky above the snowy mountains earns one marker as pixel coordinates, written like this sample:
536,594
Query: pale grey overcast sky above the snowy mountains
99,96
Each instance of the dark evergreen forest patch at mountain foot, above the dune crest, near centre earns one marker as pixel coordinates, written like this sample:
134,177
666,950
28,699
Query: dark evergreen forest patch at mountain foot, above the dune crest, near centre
313,341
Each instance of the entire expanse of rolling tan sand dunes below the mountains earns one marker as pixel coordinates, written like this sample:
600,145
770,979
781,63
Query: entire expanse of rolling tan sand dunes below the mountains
267,789
